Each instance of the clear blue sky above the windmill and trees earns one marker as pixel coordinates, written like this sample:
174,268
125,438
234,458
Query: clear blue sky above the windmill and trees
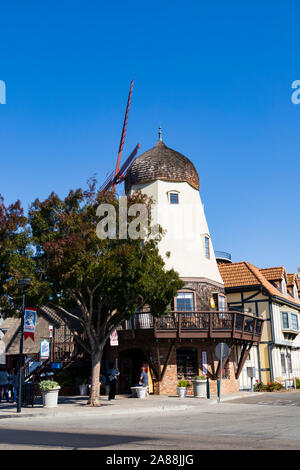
216,75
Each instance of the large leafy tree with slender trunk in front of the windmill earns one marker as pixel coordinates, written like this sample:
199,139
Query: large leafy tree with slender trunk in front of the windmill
98,282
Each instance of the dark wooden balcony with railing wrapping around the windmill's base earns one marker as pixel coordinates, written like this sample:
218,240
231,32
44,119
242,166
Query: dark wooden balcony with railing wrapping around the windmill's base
206,325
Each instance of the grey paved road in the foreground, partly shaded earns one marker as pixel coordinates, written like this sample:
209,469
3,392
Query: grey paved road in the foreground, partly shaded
216,426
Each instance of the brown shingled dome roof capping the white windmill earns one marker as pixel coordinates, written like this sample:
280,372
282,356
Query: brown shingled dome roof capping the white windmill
161,163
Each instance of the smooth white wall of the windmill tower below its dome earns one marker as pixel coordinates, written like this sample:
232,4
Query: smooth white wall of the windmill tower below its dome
185,226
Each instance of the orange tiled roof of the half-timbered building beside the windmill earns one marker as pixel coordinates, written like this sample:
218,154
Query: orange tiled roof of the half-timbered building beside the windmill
245,274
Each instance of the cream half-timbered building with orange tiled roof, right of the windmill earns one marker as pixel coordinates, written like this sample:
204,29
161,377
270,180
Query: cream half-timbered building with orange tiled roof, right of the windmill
271,294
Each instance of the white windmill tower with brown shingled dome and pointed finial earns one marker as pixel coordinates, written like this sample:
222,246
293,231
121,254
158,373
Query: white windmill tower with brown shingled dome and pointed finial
172,181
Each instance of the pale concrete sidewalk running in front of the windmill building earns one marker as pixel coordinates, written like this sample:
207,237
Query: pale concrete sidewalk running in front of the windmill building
123,404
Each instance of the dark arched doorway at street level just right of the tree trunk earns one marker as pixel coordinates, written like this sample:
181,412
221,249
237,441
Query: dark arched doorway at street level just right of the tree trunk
131,362
